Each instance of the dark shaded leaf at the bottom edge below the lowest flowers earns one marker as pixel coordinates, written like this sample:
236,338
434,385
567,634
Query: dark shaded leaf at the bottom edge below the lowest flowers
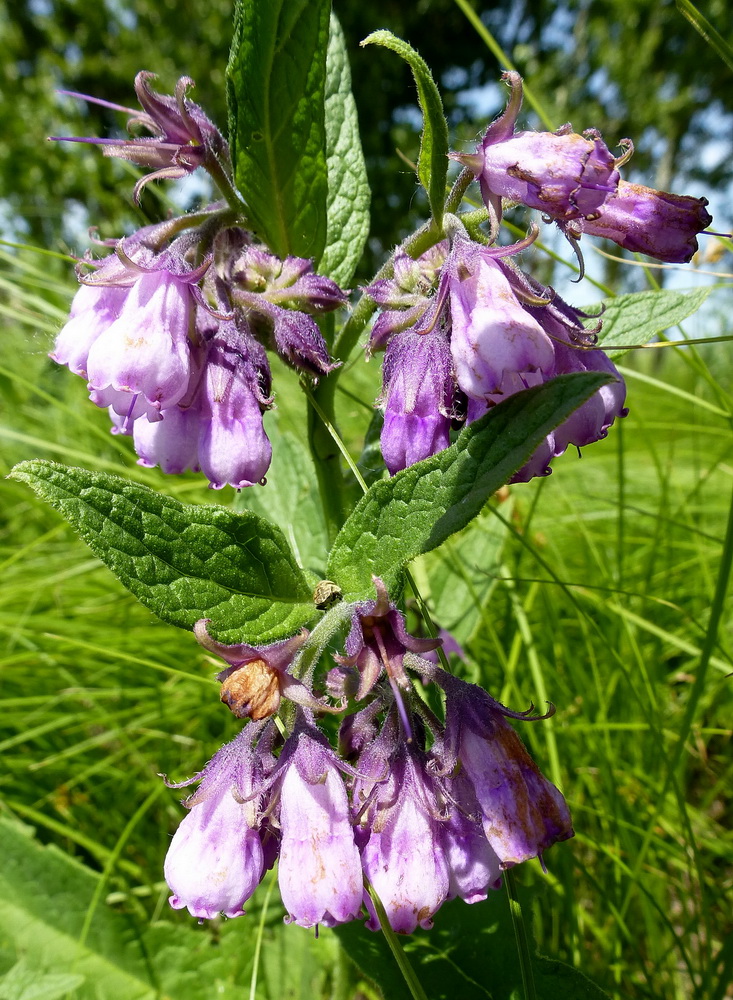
470,954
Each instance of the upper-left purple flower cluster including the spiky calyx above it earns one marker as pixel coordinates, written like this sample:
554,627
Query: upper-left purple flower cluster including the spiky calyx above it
170,329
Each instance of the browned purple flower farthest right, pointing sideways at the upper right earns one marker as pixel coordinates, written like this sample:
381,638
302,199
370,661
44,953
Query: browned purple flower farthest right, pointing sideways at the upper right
643,220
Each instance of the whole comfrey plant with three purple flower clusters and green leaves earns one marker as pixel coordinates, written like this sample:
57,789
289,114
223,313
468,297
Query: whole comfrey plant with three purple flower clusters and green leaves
424,791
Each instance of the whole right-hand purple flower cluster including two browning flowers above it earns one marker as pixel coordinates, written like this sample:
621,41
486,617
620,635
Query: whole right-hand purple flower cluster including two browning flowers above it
463,327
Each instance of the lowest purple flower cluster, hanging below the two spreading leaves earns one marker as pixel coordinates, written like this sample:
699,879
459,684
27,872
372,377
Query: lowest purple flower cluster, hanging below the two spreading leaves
424,810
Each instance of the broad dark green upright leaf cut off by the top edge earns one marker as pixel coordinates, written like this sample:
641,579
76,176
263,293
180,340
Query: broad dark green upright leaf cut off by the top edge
276,81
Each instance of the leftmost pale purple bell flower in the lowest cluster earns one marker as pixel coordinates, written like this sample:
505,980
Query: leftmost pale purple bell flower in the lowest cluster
215,860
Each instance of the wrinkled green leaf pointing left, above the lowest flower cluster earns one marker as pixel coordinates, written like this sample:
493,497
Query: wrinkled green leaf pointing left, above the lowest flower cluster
183,561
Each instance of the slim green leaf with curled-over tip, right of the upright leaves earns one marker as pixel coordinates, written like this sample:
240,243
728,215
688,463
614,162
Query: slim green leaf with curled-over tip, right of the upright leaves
432,164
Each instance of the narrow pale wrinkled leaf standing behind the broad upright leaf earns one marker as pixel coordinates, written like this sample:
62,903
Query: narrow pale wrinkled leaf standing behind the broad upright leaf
348,188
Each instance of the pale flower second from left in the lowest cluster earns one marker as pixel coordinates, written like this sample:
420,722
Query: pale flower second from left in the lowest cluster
319,871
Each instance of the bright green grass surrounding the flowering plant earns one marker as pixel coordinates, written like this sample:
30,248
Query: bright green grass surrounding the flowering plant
594,589
